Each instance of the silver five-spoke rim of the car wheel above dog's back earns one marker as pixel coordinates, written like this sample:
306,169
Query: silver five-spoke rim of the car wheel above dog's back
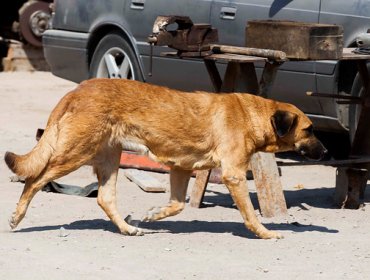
115,64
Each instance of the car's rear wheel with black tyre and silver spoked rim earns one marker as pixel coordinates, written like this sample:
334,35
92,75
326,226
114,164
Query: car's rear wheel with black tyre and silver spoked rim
114,58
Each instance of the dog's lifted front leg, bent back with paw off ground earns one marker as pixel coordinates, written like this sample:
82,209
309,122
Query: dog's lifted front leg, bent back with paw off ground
179,180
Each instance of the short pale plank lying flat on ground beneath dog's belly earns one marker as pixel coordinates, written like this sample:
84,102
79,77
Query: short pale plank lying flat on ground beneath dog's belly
146,182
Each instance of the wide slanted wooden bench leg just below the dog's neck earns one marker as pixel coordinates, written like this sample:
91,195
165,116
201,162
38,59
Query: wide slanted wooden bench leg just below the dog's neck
268,185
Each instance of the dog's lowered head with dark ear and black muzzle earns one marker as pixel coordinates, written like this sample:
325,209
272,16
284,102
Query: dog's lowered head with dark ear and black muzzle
294,131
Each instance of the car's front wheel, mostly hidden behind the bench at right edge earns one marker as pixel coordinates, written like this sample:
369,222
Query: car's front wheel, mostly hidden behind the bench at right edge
355,109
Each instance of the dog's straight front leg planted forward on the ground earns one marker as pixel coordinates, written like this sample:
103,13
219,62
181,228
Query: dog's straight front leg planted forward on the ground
236,182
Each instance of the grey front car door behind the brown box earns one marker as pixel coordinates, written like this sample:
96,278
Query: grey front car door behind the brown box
294,79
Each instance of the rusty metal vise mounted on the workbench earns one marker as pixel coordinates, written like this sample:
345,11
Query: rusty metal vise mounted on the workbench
189,38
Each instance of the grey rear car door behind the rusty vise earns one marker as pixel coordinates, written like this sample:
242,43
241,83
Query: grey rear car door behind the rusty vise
140,16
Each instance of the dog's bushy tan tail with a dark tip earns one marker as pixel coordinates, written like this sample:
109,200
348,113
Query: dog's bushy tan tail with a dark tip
32,164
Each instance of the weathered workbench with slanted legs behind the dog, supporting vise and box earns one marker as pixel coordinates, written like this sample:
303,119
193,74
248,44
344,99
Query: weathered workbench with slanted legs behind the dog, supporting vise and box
240,76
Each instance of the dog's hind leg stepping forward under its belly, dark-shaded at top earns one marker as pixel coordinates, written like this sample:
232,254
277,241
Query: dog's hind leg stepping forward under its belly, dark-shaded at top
106,168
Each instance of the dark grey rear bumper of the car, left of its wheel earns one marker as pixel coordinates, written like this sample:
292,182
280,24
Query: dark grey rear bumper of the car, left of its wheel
66,53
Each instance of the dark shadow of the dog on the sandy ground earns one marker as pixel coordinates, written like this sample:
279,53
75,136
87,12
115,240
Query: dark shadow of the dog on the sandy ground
179,227
